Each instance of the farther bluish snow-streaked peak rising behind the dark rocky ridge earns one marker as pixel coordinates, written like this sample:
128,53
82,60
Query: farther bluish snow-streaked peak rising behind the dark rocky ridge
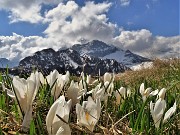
102,50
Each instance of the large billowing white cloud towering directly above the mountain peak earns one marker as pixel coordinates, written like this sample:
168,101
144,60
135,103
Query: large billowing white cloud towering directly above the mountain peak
70,23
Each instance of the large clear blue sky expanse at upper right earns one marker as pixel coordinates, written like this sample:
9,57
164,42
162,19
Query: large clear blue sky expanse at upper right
161,17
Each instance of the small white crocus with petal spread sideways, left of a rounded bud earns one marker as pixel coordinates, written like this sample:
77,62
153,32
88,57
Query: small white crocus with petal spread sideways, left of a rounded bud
147,92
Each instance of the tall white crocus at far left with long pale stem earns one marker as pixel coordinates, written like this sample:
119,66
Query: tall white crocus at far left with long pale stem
26,91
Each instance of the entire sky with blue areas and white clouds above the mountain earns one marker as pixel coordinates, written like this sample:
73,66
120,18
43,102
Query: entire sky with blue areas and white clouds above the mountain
146,27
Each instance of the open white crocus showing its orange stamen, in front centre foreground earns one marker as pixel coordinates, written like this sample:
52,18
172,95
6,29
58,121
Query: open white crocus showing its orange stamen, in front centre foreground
88,114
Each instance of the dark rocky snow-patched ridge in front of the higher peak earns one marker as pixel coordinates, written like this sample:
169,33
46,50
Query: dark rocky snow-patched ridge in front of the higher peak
68,59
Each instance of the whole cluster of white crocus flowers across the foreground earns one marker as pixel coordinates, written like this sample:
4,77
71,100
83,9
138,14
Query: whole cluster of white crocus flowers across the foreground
85,96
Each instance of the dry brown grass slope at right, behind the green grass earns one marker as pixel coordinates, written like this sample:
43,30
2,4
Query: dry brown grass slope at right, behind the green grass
161,70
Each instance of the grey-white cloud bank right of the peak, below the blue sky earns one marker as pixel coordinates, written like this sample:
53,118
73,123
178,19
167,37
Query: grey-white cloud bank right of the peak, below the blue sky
144,43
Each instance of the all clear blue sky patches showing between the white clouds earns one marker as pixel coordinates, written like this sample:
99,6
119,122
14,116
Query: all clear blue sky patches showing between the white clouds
161,17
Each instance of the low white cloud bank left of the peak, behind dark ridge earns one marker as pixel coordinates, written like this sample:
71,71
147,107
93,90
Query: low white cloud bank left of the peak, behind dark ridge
16,47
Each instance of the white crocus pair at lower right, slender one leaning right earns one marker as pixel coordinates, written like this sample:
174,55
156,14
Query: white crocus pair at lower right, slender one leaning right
158,109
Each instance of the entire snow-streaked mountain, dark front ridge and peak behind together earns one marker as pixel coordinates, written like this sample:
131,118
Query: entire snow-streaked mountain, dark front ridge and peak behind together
91,58
